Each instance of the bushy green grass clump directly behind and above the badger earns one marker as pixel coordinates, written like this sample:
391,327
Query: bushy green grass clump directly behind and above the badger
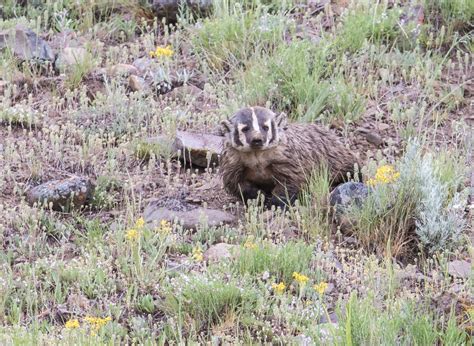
295,79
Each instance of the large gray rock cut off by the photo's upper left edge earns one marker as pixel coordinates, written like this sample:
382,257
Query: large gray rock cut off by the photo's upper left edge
25,44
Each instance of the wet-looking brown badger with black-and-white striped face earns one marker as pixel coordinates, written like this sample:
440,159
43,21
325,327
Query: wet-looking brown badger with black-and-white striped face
264,154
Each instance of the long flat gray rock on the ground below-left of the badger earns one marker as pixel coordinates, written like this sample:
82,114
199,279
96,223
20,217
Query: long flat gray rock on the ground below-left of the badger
189,219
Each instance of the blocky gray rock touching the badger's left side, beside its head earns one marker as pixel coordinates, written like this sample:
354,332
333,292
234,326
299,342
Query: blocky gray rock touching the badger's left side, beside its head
199,149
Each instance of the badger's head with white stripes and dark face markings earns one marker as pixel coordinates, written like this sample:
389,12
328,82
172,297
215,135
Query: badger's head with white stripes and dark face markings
255,128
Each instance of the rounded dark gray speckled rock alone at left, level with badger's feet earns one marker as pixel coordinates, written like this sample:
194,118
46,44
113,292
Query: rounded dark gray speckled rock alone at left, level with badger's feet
62,194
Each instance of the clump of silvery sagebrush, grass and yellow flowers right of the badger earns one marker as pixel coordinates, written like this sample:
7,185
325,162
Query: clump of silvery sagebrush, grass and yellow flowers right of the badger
412,199
